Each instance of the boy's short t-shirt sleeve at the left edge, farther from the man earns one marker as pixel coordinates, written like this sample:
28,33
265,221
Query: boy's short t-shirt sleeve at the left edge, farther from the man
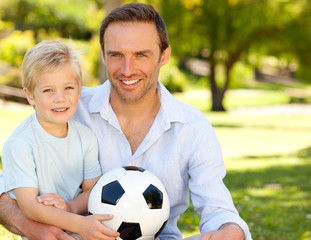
18,165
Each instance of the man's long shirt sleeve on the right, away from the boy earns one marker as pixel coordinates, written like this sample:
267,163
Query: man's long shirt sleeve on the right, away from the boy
210,197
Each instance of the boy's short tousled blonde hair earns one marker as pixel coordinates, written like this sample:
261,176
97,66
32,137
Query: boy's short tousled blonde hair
45,57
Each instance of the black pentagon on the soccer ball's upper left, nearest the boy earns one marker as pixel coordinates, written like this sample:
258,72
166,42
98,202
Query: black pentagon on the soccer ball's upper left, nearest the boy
112,192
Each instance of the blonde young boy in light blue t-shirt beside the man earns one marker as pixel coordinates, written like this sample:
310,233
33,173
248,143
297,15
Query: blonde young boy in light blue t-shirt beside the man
50,158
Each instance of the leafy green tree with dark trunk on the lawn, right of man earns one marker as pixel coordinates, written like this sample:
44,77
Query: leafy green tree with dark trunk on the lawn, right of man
226,29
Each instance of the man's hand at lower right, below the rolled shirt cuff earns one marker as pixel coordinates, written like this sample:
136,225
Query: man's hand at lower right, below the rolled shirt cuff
228,232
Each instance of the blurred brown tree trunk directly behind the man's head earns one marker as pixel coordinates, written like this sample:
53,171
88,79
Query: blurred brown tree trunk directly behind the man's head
109,5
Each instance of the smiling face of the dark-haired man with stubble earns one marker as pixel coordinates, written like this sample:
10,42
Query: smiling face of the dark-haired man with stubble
133,59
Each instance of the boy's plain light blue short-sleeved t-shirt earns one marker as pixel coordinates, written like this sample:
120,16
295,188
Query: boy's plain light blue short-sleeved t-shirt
33,158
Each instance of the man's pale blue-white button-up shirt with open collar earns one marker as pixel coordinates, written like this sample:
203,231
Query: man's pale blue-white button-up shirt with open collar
181,148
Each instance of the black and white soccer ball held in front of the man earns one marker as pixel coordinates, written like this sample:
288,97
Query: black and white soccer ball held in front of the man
136,198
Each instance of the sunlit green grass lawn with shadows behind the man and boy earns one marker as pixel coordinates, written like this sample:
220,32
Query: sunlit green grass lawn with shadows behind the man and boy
268,160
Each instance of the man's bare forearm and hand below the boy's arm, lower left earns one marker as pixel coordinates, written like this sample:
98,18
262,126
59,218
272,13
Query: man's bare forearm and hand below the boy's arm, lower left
12,219
